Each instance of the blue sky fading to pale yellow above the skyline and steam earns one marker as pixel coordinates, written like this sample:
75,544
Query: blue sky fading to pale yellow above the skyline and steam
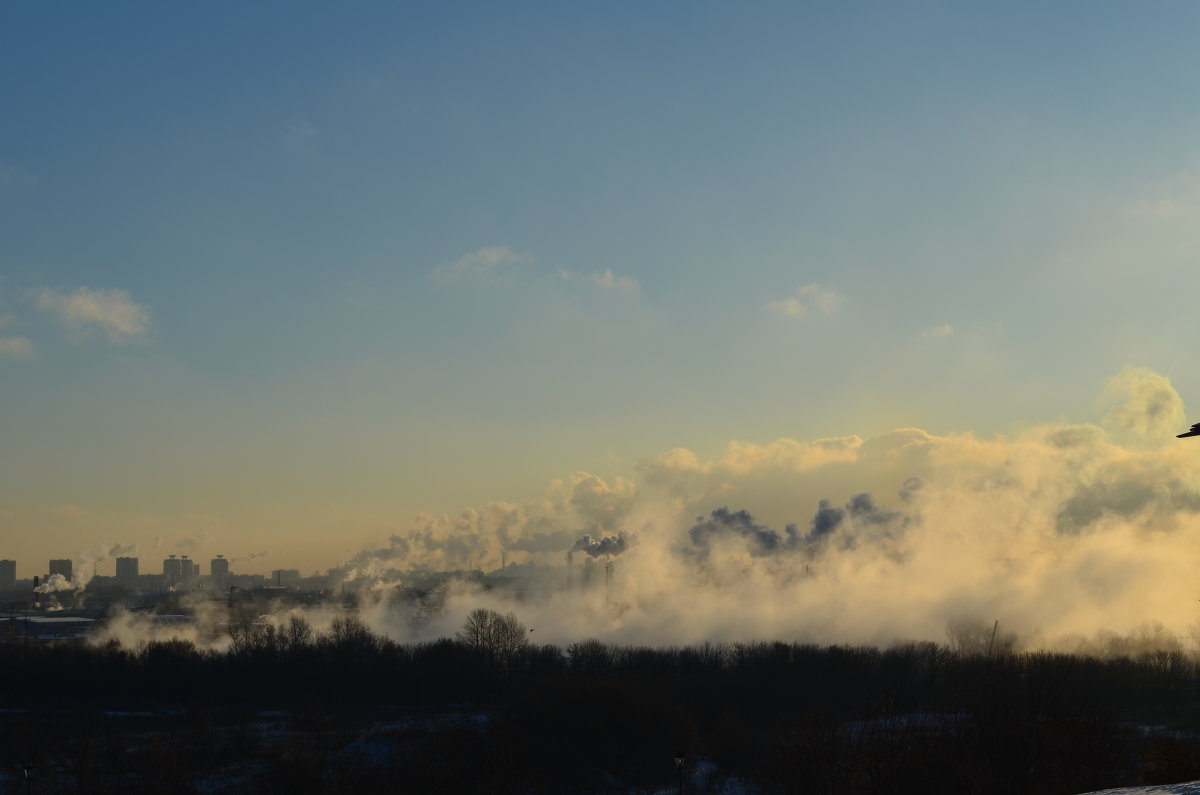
293,279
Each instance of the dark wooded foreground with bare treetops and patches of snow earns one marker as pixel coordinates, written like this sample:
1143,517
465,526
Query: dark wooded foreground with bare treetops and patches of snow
290,710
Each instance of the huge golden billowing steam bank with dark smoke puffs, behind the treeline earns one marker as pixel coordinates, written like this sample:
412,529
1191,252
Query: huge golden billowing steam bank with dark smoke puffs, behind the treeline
1059,533
